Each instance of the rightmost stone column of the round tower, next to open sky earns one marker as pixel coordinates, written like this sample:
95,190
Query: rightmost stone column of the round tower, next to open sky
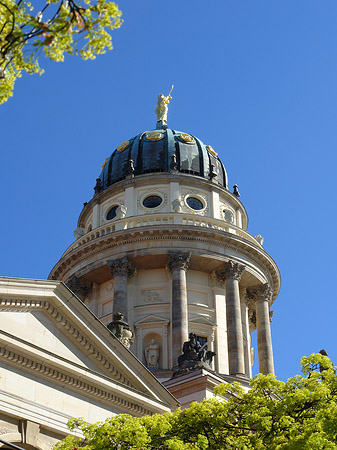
261,295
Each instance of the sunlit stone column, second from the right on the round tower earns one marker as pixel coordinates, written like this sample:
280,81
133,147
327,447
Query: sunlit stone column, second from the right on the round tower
231,272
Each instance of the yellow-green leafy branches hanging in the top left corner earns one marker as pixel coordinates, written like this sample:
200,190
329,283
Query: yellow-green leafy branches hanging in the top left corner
53,28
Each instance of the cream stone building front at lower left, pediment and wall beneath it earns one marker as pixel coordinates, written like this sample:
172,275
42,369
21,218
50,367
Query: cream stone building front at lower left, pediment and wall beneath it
58,361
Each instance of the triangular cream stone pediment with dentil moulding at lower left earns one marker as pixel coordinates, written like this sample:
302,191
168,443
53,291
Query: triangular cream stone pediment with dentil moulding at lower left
47,331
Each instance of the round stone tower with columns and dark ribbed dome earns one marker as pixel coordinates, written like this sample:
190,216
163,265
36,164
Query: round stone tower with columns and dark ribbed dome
164,242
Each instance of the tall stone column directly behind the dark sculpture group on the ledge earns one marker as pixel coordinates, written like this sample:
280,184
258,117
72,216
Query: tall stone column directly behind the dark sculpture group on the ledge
177,264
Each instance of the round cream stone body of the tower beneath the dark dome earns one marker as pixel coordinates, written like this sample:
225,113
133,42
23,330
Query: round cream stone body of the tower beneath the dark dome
165,296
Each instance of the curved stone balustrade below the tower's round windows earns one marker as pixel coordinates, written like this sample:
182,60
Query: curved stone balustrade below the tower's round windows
188,220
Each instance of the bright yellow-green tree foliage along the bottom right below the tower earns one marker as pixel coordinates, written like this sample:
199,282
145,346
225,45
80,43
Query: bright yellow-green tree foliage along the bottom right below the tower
300,414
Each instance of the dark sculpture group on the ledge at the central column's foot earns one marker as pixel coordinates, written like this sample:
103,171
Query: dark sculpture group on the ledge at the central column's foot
195,355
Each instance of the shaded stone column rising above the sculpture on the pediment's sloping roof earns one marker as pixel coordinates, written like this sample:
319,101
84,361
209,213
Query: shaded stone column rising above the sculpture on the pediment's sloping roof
121,269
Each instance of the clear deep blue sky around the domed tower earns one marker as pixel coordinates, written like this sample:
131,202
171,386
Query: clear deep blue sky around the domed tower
257,80
